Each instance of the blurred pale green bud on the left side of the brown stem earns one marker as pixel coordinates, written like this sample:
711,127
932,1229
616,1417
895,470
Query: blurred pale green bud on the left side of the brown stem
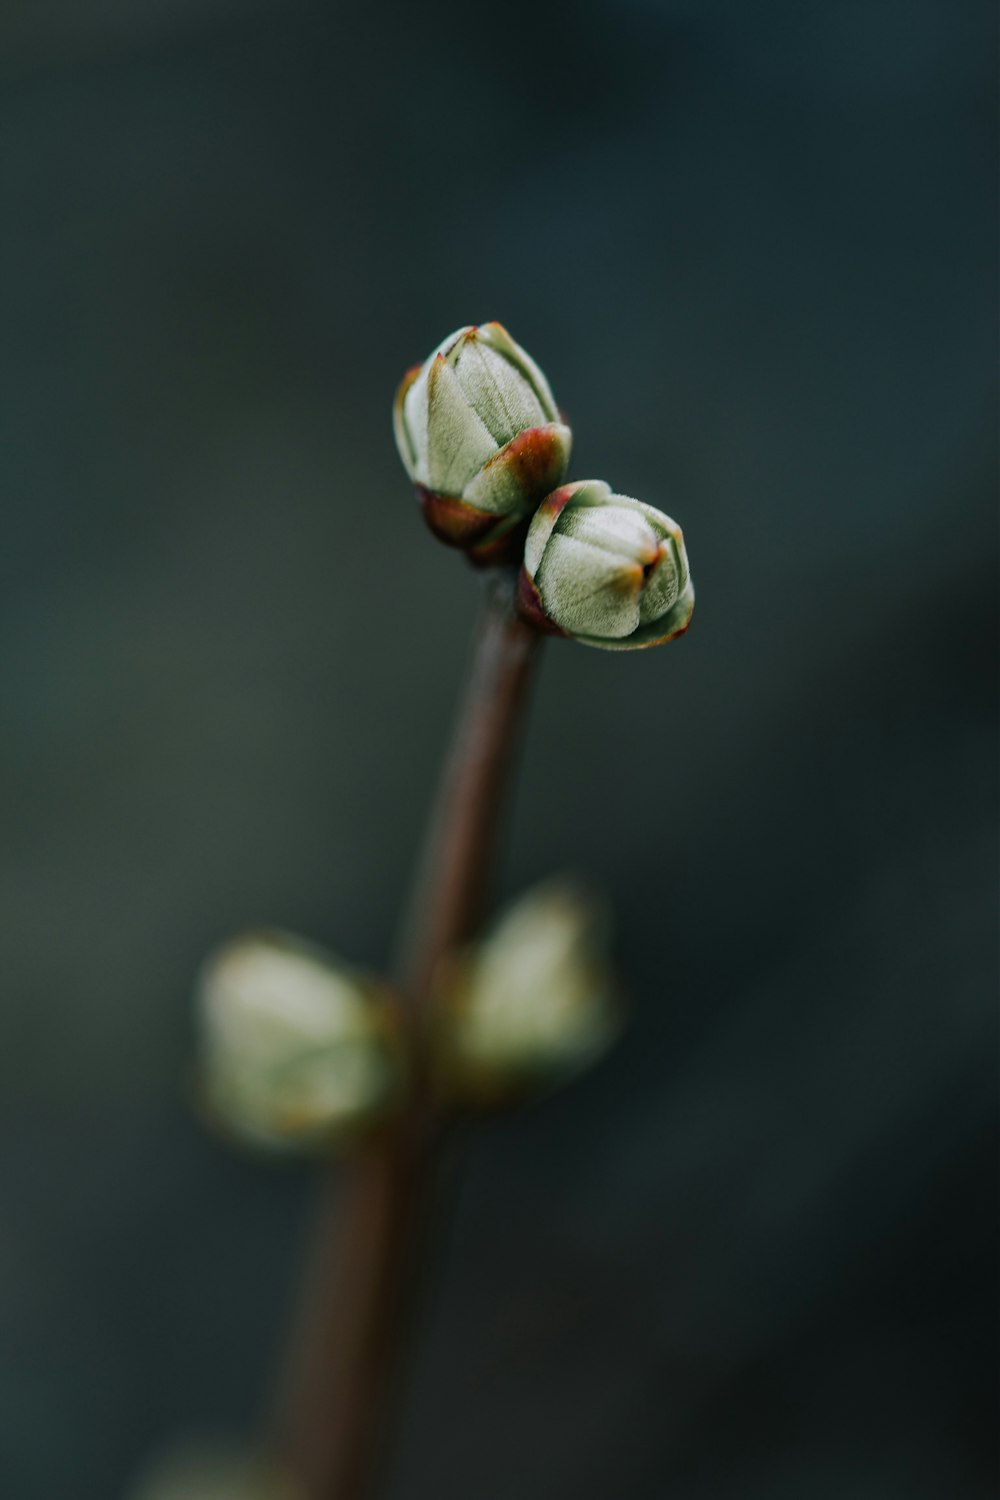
296,1052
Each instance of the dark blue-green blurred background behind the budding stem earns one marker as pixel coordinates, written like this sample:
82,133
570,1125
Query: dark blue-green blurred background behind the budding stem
755,250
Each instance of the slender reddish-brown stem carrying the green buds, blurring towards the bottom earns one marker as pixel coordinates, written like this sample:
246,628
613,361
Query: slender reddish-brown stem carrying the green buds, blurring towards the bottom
356,1295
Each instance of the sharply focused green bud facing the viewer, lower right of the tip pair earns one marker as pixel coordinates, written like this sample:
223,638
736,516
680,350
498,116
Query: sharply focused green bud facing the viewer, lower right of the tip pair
605,569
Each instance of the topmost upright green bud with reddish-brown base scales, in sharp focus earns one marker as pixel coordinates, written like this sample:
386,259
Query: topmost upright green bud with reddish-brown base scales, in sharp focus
481,437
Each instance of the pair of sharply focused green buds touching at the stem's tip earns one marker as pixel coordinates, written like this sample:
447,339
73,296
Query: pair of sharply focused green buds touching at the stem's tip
488,449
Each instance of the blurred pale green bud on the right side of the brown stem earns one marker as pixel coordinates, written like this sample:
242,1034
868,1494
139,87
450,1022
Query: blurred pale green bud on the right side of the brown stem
534,1003
